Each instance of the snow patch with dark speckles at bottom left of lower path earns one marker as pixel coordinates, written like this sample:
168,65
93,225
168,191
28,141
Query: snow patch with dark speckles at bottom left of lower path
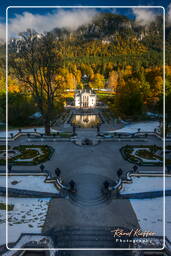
28,216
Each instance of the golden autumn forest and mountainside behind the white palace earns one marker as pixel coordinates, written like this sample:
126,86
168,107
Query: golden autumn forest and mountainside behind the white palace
114,54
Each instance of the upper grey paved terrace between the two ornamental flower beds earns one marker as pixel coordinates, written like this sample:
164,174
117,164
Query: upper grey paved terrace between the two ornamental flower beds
103,159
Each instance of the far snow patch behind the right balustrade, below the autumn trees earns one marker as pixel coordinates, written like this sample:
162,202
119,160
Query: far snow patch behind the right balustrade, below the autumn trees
148,126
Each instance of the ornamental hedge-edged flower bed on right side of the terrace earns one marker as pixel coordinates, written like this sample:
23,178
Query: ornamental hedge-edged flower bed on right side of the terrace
144,154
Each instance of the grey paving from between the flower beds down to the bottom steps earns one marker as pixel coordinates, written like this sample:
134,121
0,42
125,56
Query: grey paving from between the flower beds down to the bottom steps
89,166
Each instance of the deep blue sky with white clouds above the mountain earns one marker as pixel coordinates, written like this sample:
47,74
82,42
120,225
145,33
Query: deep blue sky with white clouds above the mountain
44,19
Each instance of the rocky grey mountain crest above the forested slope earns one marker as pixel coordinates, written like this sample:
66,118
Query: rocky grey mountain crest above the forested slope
107,25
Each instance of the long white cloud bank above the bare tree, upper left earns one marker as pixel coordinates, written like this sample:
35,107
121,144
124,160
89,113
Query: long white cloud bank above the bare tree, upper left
70,19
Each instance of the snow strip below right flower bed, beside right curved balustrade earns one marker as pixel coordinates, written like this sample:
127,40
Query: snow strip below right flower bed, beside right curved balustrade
145,184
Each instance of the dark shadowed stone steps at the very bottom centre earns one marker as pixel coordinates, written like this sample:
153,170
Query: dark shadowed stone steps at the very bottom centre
87,237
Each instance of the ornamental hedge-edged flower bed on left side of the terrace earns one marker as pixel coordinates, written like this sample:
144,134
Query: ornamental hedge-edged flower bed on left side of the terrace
30,155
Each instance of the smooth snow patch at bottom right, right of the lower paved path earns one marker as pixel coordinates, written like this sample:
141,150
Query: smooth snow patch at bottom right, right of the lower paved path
149,213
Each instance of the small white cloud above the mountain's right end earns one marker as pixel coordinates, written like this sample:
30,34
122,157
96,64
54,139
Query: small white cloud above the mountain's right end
144,16
